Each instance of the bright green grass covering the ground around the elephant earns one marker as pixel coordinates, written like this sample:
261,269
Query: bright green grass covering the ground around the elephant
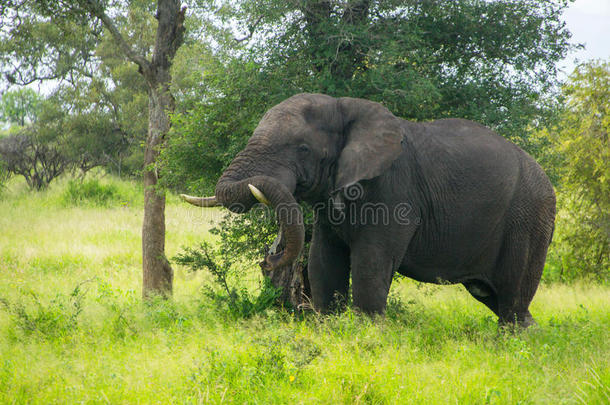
73,328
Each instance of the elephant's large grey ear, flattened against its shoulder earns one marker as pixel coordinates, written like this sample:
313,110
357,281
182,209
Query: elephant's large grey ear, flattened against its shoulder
373,140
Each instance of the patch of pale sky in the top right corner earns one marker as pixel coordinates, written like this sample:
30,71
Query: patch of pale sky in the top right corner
589,23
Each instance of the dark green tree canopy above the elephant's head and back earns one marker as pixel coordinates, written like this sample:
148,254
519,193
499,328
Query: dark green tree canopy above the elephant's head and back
490,61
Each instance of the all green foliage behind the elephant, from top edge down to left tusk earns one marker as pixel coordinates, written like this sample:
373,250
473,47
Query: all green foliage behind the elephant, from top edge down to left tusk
490,61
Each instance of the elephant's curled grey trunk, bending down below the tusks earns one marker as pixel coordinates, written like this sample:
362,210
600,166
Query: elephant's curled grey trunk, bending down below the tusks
236,194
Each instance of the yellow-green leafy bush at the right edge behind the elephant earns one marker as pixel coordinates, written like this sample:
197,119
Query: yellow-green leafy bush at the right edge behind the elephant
582,240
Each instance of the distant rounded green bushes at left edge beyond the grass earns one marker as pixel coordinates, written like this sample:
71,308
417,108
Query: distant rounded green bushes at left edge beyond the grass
71,131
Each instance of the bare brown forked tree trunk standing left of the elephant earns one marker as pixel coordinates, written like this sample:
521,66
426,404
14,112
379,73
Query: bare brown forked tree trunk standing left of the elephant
157,272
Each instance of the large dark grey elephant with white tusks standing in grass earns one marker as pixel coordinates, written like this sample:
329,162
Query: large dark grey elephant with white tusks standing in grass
445,201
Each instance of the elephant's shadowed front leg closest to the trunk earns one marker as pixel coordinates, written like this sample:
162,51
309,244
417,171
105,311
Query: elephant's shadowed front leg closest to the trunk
328,270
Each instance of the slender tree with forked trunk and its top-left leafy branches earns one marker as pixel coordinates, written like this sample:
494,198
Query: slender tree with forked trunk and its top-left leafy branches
71,30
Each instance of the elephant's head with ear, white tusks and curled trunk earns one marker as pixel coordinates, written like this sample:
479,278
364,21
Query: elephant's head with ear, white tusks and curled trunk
307,147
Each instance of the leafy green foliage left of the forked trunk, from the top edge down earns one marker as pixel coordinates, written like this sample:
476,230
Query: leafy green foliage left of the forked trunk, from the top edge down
102,98
